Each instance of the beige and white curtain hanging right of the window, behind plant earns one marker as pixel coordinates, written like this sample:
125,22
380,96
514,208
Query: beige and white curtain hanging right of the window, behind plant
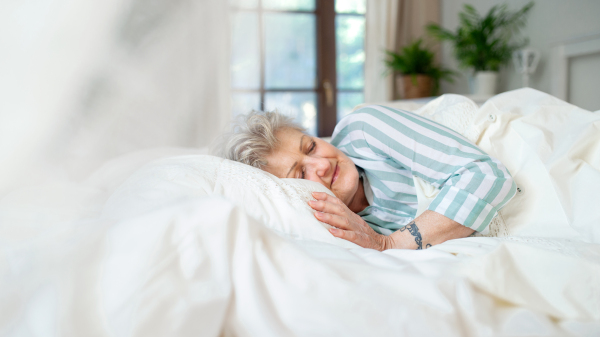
392,24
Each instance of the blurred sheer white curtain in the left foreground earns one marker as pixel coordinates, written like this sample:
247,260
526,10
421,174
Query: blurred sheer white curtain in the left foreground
85,81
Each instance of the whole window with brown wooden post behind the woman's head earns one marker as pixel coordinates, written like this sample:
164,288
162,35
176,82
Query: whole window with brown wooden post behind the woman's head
302,57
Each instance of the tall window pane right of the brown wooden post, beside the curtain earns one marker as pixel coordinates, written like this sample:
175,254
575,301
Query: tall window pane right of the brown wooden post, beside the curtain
350,37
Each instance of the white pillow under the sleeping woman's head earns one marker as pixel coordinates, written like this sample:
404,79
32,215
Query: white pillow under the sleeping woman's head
280,204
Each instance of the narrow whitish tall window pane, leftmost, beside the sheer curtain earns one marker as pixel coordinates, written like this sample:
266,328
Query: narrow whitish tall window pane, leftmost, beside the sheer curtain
245,57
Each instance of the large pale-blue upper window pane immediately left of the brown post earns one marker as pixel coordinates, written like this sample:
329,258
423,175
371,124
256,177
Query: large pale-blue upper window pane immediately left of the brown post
290,60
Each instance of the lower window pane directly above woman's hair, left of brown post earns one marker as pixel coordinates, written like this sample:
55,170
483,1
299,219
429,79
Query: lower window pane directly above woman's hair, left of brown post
302,106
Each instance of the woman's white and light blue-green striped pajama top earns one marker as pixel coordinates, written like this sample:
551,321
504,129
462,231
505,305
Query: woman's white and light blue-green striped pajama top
391,146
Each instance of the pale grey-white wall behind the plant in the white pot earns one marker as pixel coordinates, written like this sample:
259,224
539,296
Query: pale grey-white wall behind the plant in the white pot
550,22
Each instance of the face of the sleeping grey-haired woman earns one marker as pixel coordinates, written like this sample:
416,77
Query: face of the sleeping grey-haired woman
305,157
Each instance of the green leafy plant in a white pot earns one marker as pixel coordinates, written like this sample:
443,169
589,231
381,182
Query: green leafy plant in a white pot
484,44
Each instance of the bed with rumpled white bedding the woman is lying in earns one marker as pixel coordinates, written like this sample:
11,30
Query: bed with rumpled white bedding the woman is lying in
195,245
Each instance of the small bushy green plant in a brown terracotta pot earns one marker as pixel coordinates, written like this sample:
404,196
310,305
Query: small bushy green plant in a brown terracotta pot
418,76
